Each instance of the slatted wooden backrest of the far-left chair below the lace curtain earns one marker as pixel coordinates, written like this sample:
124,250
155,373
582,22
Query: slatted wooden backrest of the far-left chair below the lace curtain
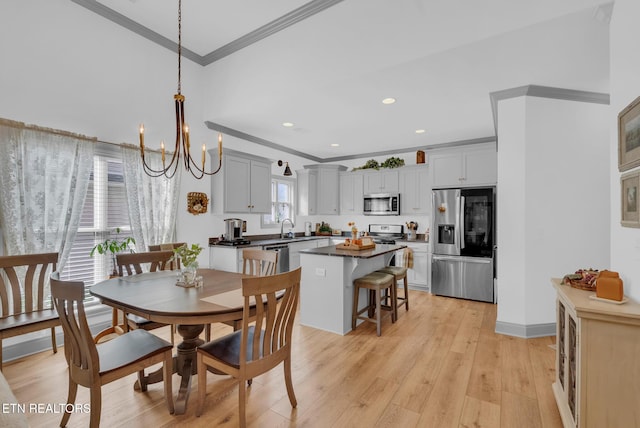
23,288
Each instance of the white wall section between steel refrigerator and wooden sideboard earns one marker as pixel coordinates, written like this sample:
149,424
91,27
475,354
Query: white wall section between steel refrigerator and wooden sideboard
553,201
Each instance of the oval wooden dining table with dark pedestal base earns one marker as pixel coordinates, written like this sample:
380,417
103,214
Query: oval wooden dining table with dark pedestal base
156,297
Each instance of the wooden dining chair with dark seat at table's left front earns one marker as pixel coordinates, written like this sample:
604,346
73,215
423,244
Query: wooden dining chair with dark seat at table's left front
92,365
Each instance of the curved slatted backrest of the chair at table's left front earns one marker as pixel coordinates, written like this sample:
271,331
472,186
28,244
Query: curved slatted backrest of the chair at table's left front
80,350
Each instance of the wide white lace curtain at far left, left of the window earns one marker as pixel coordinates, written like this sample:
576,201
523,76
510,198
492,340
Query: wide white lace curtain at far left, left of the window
43,183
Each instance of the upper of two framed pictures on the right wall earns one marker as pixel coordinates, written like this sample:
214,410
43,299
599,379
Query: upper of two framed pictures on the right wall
629,136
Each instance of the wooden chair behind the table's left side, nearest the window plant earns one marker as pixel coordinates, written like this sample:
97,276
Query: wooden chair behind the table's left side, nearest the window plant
131,264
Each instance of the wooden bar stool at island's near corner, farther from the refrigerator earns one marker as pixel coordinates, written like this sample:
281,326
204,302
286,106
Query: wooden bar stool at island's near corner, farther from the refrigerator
375,282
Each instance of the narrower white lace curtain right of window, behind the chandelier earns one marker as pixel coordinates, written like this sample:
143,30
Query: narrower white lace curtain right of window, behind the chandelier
153,201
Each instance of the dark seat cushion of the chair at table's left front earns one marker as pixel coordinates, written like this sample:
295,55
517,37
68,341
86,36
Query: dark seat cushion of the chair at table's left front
133,346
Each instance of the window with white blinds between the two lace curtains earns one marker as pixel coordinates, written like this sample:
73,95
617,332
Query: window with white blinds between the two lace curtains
105,209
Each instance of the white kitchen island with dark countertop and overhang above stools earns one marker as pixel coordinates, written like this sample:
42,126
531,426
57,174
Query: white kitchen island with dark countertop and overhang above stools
326,288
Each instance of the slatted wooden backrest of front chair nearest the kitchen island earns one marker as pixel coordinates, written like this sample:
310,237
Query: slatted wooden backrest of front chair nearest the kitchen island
274,318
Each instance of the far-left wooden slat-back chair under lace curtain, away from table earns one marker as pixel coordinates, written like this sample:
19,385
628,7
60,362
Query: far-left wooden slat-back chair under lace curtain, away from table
24,299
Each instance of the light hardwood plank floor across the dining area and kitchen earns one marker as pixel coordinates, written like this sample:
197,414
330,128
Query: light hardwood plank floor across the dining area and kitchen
439,365
